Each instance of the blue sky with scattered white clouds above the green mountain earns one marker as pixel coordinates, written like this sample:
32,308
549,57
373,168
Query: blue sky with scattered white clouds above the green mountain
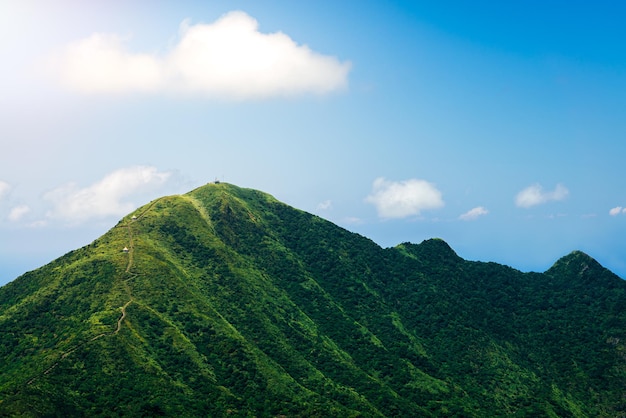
497,126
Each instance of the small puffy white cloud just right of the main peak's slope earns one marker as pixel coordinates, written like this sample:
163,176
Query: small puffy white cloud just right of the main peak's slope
404,198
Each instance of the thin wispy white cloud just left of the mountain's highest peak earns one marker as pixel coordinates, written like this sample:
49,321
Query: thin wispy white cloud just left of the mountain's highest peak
104,198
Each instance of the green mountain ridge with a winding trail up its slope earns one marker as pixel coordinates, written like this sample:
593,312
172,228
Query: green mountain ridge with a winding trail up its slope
228,302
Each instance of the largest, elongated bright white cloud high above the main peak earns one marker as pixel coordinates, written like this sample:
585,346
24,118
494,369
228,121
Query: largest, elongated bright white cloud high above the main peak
228,58
